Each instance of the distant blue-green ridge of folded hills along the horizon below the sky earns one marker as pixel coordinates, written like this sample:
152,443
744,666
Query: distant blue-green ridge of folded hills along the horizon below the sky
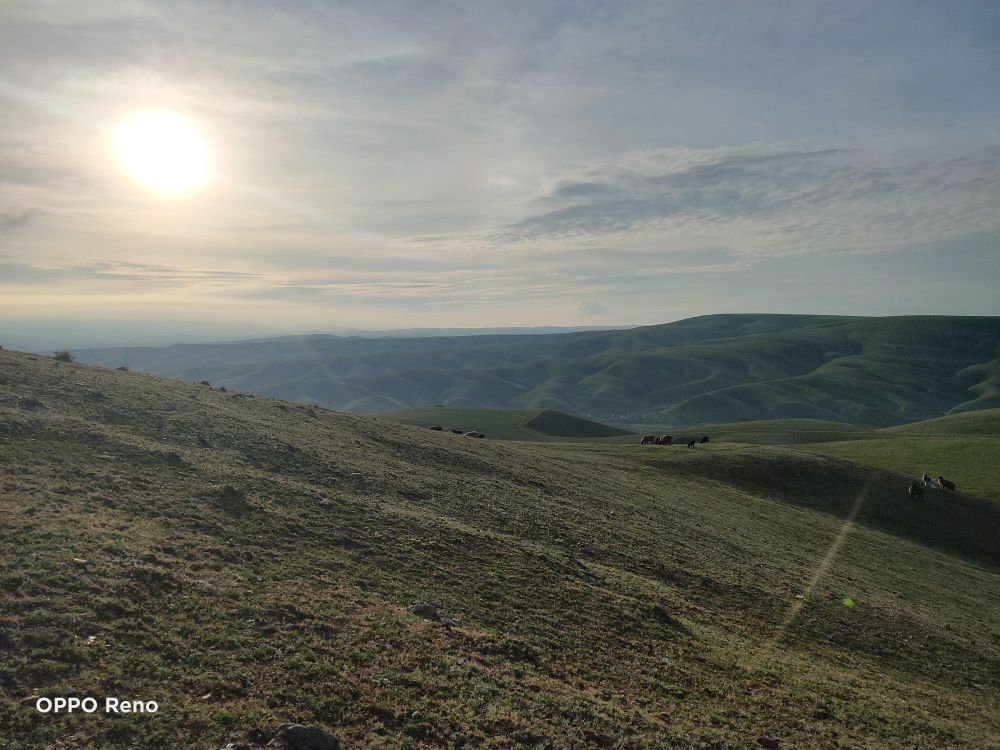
716,368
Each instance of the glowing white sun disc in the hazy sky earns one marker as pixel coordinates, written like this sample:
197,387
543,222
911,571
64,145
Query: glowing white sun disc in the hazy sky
164,152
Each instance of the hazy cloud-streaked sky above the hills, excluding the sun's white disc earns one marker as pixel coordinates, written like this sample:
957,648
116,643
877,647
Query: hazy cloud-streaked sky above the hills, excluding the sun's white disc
397,164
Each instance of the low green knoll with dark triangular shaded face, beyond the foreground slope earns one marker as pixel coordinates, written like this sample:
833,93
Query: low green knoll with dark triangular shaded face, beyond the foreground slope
505,424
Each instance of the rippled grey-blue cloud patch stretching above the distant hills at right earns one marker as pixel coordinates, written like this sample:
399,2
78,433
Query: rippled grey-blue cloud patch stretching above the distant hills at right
769,201
